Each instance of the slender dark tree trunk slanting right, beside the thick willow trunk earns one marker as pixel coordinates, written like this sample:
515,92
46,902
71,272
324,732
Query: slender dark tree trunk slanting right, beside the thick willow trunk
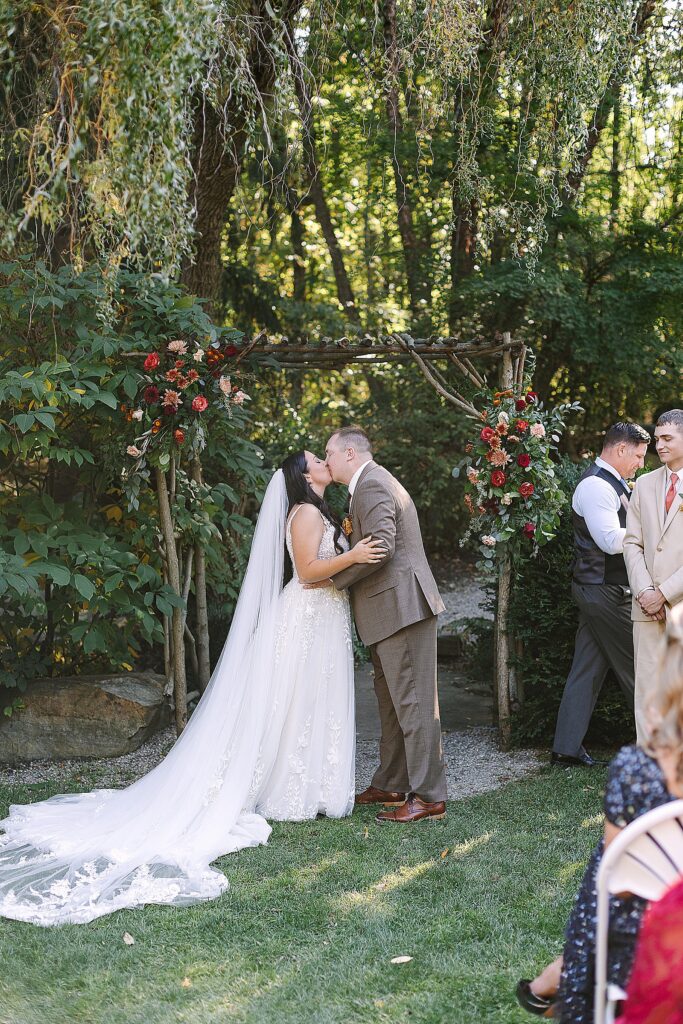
316,191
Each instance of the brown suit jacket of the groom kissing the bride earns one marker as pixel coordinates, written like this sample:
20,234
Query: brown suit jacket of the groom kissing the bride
401,590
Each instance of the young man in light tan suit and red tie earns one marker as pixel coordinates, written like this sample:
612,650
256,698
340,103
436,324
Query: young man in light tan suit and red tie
654,556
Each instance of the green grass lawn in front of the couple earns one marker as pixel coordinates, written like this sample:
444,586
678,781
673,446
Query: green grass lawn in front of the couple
309,928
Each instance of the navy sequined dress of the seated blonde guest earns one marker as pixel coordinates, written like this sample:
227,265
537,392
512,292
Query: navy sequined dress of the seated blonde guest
635,786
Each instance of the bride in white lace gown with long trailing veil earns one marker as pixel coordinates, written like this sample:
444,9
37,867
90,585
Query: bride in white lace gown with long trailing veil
273,737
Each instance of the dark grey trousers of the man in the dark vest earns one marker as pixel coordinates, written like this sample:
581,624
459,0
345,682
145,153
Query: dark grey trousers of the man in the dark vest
605,641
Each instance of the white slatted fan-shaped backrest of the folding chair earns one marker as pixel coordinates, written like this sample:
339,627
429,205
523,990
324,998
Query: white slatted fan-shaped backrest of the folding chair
648,857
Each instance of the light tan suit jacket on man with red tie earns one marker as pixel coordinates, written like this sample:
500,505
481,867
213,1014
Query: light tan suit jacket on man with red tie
654,541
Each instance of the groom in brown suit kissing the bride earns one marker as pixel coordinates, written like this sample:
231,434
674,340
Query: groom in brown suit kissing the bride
396,605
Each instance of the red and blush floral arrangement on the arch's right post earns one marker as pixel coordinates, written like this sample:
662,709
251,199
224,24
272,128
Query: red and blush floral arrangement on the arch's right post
511,490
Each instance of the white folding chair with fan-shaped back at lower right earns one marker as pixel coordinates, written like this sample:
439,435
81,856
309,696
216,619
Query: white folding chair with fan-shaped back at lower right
645,860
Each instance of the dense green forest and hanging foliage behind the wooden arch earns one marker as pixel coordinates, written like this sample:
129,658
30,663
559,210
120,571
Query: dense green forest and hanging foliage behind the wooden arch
456,168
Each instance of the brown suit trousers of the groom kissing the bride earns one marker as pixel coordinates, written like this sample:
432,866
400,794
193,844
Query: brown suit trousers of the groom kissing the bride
411,756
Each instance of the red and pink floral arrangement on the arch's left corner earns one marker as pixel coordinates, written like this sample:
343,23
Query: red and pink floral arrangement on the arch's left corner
179,386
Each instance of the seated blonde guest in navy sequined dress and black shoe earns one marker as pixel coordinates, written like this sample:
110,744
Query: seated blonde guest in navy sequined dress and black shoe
639,780
